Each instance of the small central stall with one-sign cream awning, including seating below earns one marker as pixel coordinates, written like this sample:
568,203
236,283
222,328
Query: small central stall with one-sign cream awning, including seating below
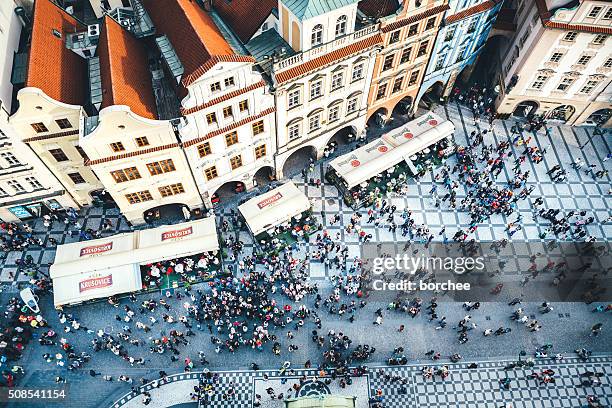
281,215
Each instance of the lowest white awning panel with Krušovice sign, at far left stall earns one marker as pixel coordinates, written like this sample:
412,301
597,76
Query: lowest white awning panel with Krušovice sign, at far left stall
79,287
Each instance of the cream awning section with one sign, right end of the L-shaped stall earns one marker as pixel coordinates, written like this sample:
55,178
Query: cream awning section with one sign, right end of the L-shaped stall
175,241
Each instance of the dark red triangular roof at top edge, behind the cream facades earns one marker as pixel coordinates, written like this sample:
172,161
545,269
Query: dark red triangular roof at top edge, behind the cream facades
245,16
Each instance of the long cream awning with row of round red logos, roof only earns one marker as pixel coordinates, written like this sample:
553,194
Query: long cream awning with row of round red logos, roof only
390,149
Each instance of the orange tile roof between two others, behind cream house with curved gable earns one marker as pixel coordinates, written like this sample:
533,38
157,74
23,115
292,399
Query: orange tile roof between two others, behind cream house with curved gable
126,79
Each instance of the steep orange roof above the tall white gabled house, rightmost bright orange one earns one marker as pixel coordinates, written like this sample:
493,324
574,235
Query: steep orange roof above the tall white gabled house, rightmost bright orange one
194,36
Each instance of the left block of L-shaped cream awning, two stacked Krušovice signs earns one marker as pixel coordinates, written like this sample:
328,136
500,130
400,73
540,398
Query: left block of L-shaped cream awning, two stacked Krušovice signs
92,269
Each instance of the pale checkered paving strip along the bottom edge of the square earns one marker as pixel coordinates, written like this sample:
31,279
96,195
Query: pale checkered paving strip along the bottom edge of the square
465,387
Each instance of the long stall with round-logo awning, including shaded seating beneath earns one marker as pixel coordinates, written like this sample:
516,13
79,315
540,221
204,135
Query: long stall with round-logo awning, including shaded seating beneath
384,164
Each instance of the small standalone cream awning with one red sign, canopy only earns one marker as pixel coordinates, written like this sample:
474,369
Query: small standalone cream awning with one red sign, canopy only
273,208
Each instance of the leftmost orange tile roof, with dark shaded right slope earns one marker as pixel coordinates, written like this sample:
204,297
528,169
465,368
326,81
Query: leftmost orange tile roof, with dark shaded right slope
56,70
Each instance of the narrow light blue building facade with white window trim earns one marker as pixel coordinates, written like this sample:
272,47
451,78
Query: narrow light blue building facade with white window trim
462,37
